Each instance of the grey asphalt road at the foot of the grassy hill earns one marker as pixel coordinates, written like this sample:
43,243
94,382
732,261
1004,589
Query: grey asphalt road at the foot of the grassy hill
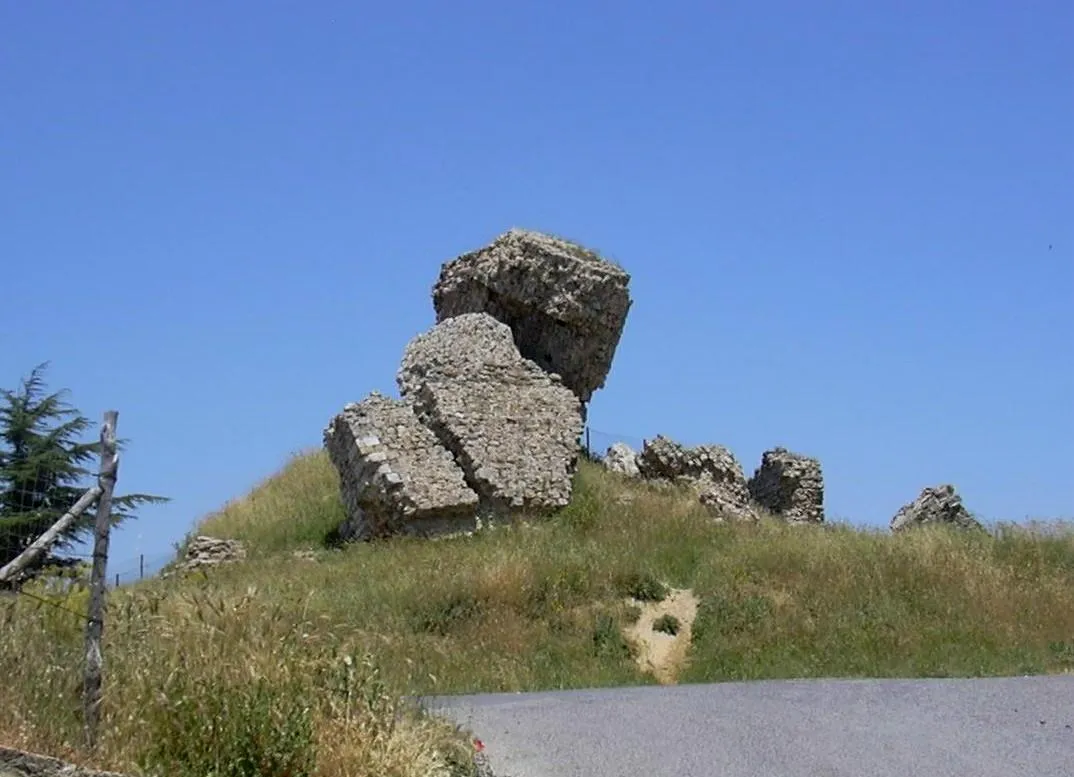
932,728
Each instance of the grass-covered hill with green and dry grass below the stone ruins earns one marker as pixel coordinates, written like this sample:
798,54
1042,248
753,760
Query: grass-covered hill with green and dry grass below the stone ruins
306,659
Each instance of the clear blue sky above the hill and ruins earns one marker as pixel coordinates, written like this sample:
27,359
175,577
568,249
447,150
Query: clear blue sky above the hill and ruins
850,226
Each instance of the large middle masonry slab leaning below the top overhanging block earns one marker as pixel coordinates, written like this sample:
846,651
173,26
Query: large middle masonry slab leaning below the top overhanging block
512,427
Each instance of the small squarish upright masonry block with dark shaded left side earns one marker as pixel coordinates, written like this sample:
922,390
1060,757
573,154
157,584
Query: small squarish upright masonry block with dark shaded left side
790,485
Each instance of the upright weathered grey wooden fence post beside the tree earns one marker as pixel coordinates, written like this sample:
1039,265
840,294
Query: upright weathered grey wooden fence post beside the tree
98,583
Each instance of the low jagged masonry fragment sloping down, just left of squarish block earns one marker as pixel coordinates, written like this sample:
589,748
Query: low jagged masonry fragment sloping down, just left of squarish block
712,470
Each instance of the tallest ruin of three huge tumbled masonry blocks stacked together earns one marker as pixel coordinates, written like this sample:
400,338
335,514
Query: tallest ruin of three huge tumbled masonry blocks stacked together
492,398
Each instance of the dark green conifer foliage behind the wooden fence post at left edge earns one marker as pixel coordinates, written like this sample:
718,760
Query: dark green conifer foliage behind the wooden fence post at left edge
46,467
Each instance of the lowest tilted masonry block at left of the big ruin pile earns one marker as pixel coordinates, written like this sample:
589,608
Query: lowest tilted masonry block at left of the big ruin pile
395,476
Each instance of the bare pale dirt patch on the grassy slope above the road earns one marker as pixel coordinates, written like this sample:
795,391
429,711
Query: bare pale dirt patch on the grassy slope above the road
661,654
